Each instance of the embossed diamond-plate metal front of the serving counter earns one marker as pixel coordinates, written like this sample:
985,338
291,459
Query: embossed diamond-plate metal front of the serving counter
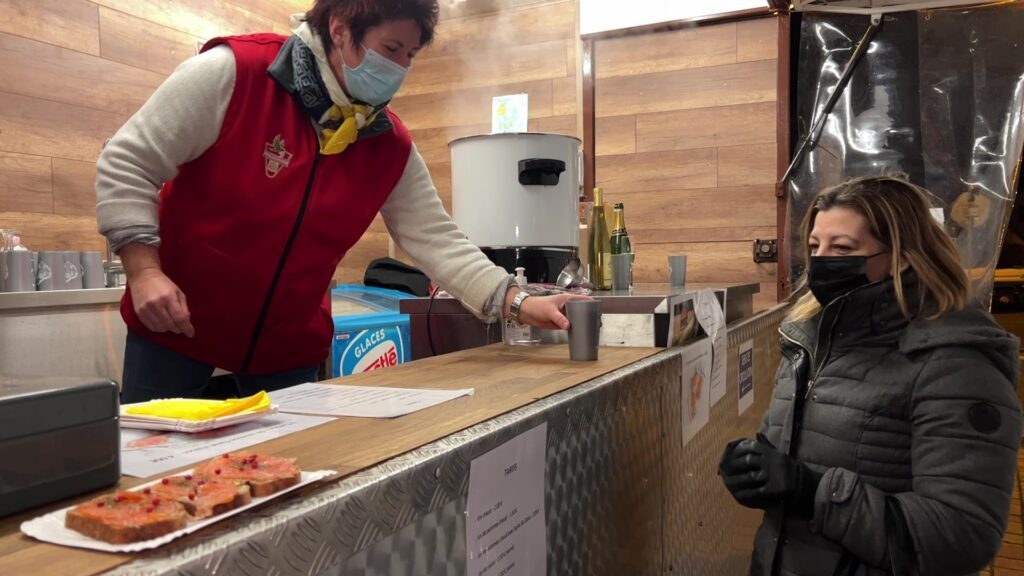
623,497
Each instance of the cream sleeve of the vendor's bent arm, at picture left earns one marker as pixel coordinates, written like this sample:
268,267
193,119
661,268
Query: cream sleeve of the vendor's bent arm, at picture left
178,125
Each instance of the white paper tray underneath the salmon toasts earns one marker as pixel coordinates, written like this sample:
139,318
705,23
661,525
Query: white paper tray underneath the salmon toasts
51,528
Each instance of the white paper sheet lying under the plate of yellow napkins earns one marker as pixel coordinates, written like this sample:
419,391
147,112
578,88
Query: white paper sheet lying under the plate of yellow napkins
147,454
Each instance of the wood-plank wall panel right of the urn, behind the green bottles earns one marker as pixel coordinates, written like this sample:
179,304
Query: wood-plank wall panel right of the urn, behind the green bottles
686,136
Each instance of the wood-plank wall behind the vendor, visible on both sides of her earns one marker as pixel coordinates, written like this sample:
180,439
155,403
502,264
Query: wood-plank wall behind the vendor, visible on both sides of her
73,71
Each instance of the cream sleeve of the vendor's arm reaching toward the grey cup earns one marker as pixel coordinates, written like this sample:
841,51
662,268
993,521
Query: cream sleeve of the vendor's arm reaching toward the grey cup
417,221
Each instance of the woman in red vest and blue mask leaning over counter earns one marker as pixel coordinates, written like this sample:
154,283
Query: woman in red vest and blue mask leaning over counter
235,192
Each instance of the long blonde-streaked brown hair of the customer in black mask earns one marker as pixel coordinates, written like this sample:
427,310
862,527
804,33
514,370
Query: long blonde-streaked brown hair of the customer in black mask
898,215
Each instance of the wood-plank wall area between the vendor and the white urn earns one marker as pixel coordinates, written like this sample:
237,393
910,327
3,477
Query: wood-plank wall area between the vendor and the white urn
486,49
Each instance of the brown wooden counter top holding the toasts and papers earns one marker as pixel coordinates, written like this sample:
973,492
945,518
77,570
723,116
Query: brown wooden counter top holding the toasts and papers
505,379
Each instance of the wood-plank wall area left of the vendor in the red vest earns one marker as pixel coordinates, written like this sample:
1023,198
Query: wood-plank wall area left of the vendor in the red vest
71,74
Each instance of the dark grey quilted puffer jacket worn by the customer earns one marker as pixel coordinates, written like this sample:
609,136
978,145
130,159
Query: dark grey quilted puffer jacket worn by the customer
915,425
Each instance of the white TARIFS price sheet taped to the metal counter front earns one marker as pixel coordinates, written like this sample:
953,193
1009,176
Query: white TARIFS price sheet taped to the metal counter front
506,533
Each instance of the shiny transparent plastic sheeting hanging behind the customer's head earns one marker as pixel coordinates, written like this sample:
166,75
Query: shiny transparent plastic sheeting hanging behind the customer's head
938,97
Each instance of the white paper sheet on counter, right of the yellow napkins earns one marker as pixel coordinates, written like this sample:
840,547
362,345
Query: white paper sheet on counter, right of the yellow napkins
362,402
